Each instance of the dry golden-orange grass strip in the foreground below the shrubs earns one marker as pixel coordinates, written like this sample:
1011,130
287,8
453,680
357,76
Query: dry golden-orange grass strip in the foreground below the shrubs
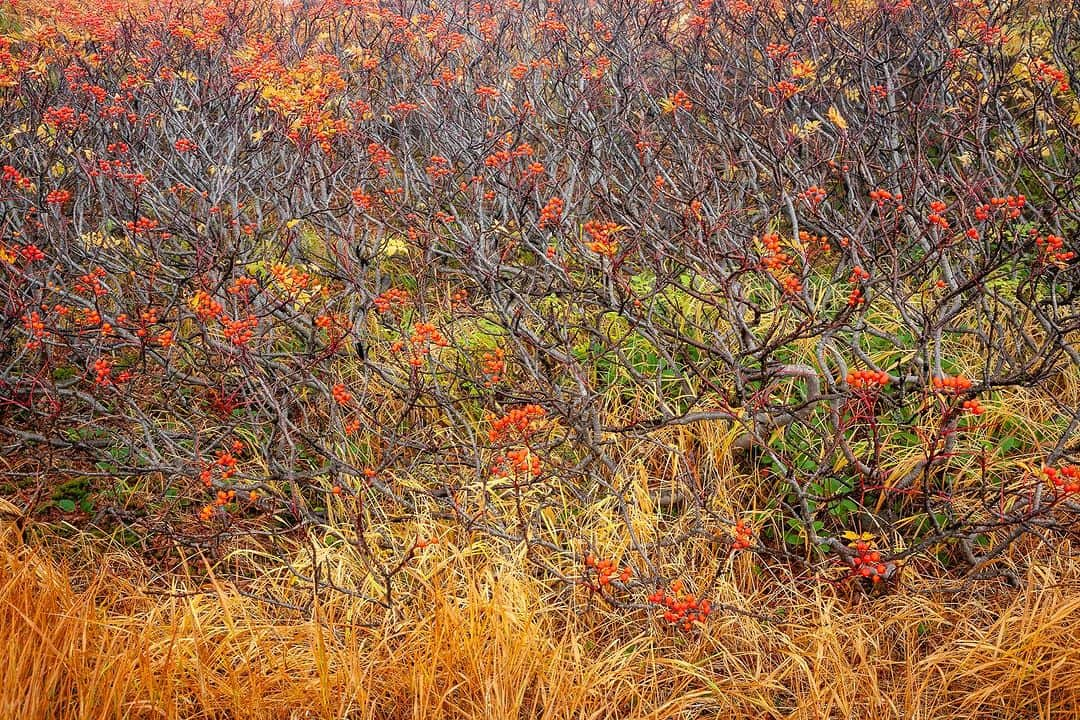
483,640
